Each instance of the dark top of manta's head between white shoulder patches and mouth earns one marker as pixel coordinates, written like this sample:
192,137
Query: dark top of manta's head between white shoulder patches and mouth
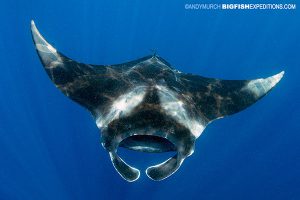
149,115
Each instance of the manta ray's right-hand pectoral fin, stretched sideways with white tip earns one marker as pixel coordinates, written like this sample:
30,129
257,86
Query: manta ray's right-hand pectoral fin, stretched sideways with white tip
216,98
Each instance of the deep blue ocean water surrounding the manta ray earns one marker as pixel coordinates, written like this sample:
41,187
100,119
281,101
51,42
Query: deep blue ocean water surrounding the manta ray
50,147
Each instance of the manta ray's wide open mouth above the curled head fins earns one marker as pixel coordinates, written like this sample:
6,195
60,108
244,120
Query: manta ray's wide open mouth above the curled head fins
148,143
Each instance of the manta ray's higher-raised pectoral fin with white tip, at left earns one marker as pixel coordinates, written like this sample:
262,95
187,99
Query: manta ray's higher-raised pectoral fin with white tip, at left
83,83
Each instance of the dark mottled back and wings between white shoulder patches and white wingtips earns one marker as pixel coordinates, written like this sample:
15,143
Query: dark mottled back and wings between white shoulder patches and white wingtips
95,87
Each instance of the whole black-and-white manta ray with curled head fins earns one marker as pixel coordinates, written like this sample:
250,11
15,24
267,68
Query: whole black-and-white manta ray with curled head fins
147,105
